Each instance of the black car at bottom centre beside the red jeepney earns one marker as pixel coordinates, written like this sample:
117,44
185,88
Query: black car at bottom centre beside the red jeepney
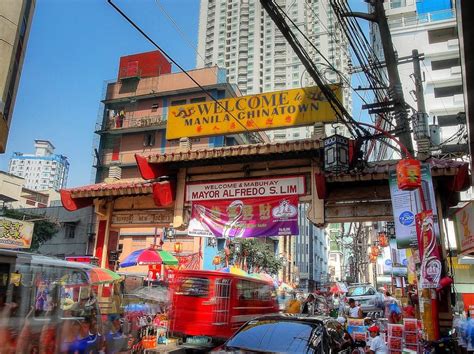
288,333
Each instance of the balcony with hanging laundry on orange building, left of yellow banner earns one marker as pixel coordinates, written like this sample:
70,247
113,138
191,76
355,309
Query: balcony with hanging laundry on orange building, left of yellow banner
119,124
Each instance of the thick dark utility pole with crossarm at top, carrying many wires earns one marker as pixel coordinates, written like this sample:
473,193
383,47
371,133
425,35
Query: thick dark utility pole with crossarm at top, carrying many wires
395,86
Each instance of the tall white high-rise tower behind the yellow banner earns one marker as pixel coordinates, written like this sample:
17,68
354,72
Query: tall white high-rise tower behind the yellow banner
241,37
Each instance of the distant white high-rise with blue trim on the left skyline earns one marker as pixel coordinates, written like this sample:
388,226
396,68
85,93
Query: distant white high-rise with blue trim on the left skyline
42,170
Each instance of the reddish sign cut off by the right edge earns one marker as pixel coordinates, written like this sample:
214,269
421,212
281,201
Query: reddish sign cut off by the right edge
464,228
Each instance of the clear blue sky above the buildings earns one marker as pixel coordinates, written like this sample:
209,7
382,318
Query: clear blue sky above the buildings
74,46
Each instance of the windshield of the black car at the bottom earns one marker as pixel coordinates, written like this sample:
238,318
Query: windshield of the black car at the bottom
278,337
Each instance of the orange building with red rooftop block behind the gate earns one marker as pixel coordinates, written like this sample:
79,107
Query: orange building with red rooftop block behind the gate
135,112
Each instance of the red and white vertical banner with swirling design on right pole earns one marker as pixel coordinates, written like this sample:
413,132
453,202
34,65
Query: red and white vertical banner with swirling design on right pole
430,271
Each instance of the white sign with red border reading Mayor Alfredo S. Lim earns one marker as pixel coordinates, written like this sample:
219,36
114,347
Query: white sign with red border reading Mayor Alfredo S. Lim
248,188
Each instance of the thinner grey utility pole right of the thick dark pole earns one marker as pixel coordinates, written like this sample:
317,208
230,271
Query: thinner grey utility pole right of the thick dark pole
421,131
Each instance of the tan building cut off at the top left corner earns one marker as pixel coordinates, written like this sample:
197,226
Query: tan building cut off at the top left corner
15,23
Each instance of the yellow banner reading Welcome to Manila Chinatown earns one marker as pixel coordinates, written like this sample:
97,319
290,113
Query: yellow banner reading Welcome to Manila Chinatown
271,110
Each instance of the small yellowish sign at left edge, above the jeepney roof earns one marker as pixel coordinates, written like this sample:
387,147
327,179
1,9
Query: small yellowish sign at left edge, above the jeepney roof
15,233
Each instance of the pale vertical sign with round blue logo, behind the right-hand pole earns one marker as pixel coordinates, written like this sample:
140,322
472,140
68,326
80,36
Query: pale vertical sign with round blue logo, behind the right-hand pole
406,204
